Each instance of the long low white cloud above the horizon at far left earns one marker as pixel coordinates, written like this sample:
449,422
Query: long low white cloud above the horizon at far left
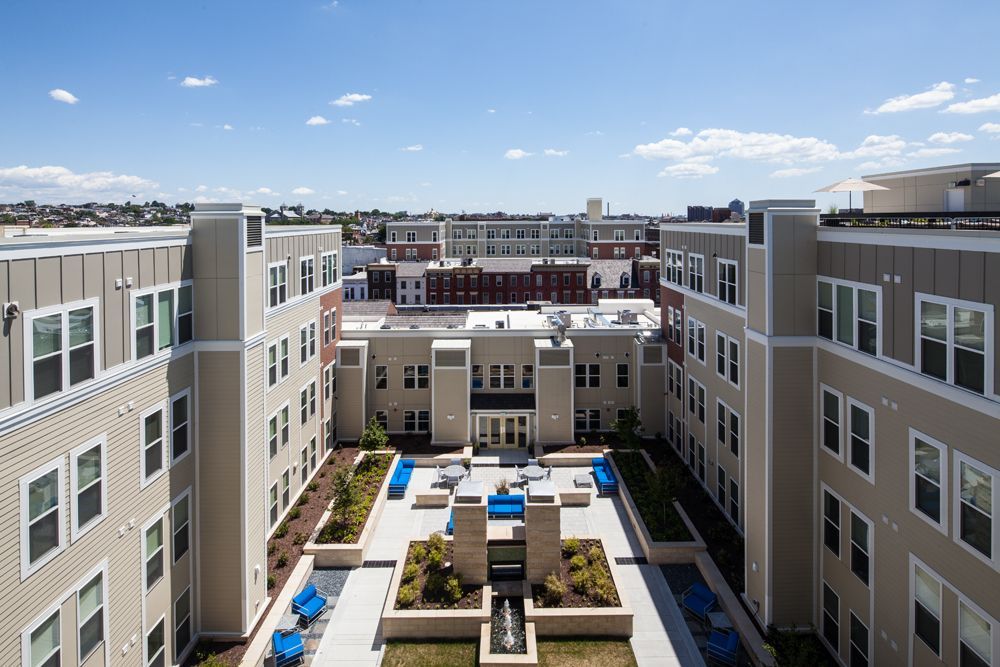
60,184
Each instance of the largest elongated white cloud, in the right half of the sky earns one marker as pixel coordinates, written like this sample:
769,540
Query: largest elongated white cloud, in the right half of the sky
764,146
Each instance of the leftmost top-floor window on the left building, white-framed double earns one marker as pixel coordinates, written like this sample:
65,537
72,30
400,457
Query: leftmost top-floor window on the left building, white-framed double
62,350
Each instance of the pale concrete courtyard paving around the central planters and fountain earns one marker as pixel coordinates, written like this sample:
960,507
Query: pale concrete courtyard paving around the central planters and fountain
353,637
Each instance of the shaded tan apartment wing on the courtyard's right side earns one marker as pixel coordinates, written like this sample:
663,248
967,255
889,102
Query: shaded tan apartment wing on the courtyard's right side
833,387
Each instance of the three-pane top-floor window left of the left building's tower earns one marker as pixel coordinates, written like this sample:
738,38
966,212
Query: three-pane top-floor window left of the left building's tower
163,318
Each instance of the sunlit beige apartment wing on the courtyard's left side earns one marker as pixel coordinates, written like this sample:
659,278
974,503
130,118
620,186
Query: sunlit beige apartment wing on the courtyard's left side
165,395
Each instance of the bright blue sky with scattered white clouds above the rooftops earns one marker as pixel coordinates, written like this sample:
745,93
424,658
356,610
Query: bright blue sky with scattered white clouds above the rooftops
520,106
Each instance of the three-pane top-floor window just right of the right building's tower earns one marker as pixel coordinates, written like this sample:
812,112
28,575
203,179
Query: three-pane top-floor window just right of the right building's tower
848,314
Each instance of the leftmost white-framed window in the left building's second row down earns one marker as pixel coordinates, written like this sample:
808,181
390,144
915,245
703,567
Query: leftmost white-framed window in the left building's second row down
41,516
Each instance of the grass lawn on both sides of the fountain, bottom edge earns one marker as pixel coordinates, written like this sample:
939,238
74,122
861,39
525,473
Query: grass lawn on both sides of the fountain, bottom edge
551,653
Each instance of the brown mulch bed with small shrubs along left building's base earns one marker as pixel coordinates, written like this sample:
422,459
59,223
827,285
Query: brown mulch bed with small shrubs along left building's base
310,514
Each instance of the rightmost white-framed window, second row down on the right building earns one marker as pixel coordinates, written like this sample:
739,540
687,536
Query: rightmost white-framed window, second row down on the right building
974,506
